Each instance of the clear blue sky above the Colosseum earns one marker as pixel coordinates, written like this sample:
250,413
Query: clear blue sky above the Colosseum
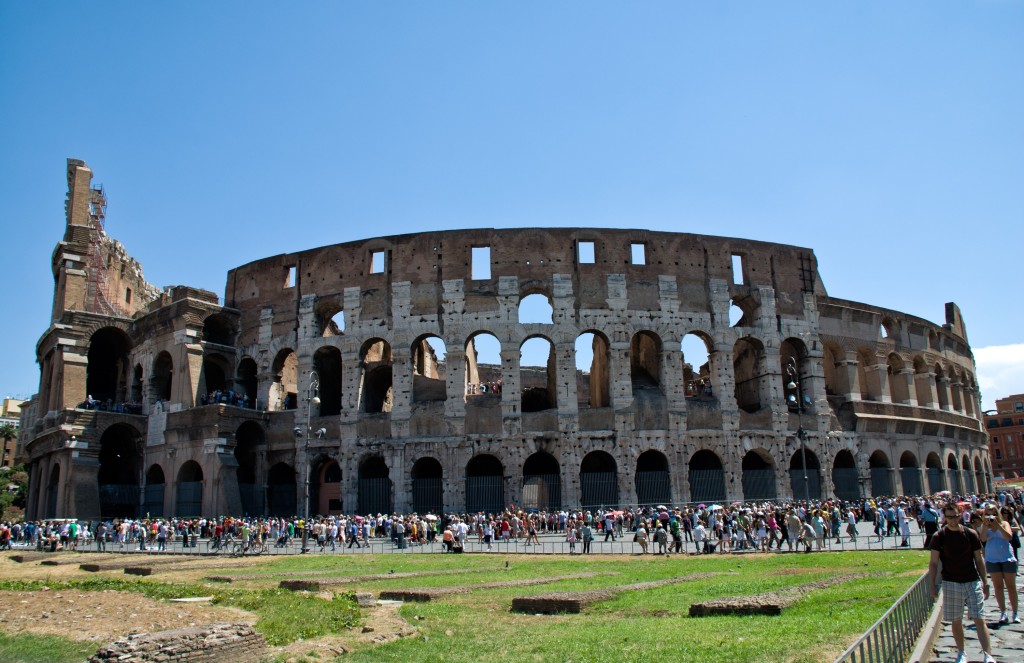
888,137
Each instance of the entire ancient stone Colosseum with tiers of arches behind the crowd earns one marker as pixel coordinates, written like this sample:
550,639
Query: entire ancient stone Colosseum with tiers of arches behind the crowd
467,370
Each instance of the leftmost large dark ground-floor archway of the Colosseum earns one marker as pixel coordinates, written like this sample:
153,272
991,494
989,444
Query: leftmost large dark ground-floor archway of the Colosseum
120,472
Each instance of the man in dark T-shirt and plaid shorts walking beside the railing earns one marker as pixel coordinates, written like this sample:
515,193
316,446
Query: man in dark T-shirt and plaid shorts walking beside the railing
964,579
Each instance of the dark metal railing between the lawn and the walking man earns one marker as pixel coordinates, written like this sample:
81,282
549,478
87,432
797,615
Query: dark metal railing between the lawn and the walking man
894,636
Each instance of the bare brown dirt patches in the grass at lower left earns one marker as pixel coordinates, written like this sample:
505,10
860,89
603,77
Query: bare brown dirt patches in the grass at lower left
103,617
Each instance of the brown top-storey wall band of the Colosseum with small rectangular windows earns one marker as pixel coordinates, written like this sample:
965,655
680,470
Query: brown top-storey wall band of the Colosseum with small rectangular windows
533,256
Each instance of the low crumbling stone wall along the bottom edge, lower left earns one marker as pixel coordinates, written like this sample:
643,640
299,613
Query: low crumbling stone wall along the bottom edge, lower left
236,643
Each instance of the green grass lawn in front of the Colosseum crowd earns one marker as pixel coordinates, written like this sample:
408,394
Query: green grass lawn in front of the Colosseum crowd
645,626
